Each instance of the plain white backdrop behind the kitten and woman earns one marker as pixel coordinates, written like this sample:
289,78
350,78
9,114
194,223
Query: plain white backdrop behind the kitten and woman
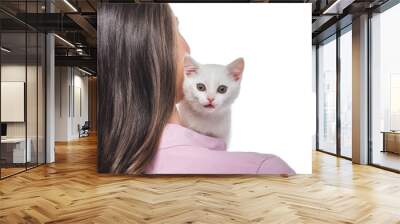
274,112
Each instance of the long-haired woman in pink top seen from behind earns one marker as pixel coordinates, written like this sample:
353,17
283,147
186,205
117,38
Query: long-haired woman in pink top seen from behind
140,74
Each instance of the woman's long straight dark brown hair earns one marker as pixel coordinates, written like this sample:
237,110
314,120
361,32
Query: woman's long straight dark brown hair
136,83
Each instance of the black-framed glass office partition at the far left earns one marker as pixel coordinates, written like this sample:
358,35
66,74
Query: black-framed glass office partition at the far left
22,102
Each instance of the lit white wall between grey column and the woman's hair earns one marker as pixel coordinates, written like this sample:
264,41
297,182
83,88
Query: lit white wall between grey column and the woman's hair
70,81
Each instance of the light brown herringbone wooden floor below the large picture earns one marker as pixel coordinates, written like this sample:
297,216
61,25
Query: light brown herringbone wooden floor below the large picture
70,191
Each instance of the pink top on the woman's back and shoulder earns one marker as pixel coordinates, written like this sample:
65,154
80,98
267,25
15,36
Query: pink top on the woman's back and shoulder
184,151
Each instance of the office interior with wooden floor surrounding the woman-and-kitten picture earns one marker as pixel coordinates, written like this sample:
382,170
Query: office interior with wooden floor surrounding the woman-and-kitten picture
48,150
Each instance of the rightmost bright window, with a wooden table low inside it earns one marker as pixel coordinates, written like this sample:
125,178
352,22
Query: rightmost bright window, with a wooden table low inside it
385,89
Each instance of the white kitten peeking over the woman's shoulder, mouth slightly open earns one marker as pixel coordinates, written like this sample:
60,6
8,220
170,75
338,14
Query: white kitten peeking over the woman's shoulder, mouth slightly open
209,91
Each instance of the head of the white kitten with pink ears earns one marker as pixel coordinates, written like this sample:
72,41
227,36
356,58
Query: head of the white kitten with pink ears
212,88
